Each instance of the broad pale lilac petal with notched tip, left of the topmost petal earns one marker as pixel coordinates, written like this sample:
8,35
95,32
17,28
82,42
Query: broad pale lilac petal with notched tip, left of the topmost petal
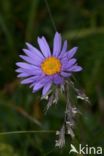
44,46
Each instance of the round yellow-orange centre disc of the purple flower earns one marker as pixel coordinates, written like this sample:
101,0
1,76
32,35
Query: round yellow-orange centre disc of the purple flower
51,65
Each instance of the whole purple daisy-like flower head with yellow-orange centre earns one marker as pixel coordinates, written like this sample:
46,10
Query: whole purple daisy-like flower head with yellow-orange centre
42,68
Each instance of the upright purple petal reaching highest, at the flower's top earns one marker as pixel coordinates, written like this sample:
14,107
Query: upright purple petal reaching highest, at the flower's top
57,44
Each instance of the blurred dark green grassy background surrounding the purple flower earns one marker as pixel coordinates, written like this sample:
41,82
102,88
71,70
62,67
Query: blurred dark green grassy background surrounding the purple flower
81,22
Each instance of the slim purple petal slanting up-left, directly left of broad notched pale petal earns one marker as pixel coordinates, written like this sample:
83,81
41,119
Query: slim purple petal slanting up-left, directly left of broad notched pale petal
35,50
